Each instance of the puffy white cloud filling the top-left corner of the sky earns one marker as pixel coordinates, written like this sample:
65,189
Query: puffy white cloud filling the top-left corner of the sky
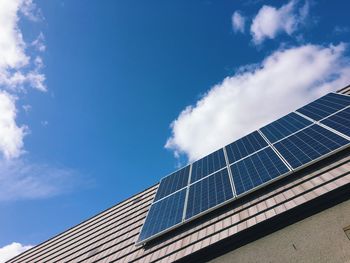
16,67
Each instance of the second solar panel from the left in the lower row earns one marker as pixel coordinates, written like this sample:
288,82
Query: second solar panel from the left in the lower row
208,193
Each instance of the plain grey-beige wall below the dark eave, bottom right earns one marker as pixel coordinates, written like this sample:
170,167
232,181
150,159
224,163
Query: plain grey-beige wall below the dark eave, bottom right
319,238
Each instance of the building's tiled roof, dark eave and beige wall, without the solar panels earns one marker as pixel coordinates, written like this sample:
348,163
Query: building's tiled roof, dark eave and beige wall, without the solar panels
303,217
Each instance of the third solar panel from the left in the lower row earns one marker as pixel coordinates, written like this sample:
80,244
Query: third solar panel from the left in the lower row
256,170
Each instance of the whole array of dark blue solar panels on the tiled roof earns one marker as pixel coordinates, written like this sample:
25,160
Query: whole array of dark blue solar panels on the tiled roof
288,144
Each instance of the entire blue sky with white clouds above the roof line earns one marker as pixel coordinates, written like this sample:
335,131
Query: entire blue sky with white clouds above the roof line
100,99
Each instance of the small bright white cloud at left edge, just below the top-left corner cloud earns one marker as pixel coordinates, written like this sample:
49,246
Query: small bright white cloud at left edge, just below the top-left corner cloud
11,135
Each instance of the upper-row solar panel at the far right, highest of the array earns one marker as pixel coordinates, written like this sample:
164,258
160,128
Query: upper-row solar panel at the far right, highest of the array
325,106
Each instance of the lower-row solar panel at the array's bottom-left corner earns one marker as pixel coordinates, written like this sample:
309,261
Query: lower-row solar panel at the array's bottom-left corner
163,215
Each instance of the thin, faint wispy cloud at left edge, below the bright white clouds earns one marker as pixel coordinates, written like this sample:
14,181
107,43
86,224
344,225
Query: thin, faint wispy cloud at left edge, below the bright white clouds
21,179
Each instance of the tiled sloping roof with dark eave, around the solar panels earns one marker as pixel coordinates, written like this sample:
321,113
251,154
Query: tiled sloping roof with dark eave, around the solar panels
111,235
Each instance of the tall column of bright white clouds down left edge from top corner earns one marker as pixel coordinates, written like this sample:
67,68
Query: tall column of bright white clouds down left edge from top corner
18,72
